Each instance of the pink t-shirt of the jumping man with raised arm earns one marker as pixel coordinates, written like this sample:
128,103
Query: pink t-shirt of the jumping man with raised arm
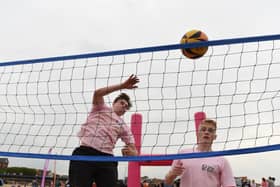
103,128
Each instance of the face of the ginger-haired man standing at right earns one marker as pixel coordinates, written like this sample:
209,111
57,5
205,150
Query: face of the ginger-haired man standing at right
206,133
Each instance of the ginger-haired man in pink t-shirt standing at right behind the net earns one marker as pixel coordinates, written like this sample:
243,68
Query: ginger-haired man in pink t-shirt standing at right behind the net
202,172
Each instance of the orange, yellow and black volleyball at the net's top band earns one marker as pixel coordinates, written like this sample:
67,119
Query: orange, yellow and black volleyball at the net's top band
191,37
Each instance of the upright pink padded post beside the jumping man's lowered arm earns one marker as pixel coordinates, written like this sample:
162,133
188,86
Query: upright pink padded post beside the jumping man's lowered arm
134,173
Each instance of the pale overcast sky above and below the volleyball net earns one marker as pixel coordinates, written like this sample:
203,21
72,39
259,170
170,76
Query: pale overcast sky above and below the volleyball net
35,28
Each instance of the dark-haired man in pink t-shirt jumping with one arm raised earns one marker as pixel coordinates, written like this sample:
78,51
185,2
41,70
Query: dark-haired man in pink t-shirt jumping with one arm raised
98,136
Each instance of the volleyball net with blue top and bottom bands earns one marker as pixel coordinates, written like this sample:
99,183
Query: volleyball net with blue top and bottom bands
43,102
